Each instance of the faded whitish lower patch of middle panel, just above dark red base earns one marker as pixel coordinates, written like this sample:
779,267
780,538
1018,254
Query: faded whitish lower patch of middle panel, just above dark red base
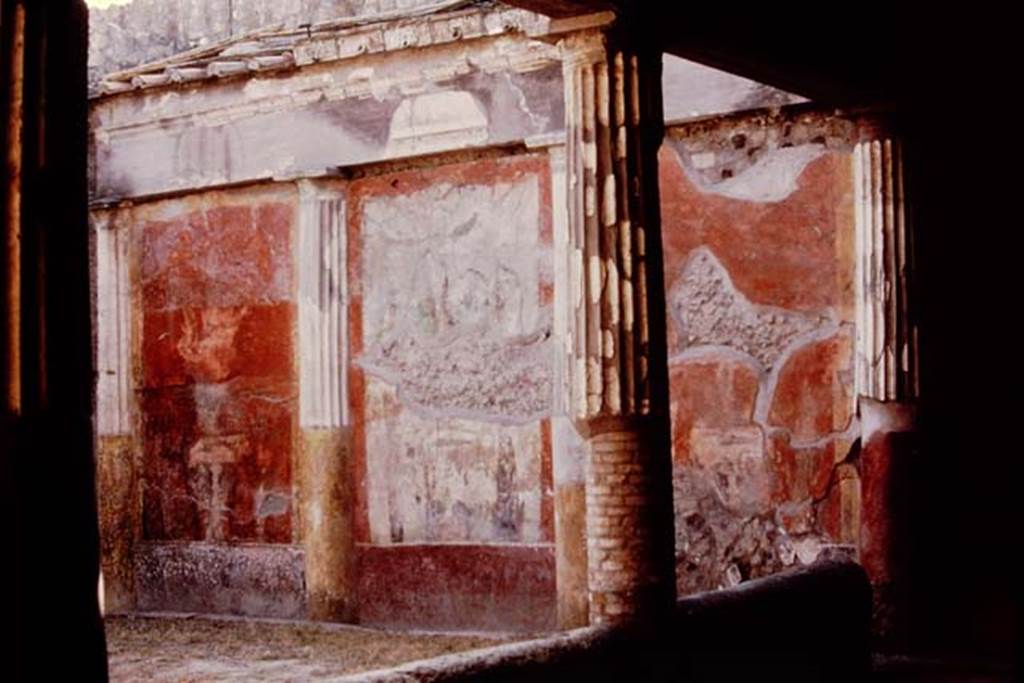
451,481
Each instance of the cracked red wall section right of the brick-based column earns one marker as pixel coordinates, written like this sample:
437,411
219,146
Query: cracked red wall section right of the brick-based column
759,229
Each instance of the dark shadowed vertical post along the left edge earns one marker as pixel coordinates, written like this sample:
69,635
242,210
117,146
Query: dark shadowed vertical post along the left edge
46,352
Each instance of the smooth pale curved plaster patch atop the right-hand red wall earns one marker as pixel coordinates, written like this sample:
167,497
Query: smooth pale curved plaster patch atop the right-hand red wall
772,179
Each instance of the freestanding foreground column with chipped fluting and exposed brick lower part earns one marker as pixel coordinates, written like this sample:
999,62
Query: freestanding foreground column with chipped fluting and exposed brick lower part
618,366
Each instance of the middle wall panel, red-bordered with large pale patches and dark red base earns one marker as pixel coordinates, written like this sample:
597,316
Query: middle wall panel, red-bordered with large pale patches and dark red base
452,388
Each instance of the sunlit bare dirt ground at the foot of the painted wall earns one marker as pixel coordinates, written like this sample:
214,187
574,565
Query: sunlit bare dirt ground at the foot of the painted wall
193,649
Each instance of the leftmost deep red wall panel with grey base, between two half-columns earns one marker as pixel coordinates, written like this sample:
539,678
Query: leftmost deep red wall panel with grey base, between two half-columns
217,390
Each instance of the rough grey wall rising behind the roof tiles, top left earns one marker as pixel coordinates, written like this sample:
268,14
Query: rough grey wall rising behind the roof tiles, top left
143,31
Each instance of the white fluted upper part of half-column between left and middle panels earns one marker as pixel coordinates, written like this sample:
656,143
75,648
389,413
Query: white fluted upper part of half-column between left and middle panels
323,310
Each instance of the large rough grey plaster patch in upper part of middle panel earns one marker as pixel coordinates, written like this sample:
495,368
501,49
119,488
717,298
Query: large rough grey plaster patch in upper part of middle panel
452,302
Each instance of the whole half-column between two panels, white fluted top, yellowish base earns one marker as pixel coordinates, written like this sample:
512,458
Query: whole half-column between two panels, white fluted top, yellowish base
325,490
